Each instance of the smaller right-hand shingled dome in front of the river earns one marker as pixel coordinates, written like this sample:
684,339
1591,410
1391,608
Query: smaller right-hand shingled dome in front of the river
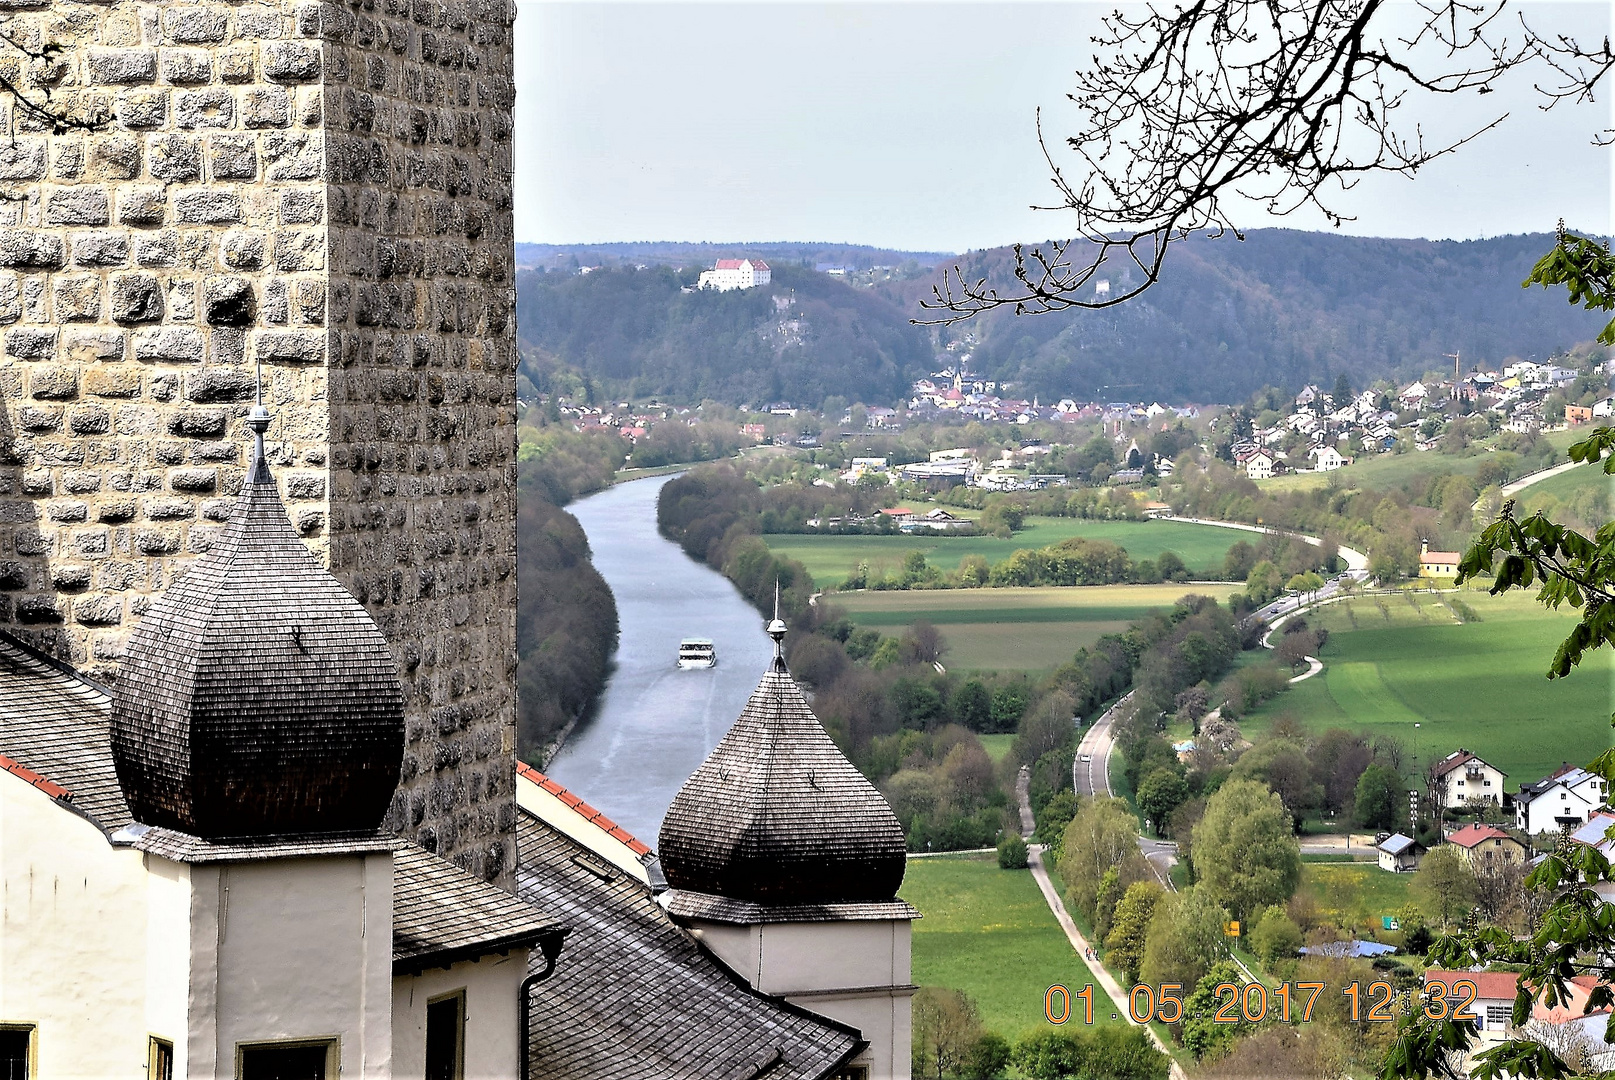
778,816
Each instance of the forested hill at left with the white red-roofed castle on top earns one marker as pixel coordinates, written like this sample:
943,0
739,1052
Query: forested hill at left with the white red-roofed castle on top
637,333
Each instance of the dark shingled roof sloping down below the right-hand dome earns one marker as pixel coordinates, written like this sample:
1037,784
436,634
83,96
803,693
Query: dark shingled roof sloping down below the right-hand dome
637,998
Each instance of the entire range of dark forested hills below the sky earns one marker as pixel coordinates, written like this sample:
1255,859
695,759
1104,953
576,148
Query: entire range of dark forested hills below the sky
1283,308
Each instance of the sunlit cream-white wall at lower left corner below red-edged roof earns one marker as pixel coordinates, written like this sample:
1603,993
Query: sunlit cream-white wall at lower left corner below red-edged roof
93,947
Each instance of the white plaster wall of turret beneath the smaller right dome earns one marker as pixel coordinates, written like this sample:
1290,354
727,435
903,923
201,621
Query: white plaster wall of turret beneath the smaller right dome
857,973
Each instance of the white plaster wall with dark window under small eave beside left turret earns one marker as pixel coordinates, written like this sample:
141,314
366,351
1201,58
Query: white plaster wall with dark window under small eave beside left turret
492,1016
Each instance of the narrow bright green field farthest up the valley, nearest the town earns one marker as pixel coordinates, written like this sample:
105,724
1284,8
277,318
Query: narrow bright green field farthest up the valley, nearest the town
831,559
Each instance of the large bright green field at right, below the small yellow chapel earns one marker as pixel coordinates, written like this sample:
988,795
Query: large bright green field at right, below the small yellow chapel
1475,685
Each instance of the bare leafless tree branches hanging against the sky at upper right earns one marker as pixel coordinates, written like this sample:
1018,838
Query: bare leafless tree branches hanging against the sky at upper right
1283,103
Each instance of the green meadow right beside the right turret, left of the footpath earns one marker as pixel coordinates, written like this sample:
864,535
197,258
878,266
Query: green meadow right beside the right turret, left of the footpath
991,934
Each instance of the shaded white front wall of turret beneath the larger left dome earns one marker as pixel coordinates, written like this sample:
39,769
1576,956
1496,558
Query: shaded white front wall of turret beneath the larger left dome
287,950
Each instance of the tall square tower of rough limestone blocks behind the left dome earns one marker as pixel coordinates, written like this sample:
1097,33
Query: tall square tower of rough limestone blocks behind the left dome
324,188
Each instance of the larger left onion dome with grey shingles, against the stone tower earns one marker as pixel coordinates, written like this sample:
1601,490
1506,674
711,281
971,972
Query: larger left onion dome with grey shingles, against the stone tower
258,698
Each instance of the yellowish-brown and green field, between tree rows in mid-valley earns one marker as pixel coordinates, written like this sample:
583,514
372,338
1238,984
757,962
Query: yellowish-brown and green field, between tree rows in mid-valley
1017,629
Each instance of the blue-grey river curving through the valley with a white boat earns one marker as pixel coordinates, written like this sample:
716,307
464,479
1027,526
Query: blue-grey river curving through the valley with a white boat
656,724
